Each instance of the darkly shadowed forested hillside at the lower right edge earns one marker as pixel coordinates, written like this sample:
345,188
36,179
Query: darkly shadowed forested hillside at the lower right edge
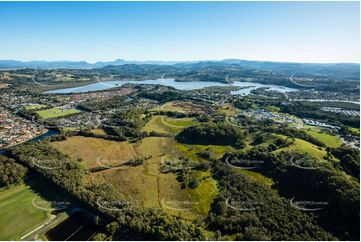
323,182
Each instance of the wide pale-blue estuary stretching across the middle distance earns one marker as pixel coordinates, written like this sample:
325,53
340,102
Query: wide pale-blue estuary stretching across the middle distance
247,87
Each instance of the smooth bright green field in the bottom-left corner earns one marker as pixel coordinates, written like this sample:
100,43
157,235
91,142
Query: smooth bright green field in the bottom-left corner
18,215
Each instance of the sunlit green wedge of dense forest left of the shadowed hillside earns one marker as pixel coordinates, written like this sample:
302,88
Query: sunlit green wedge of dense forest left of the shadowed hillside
255,212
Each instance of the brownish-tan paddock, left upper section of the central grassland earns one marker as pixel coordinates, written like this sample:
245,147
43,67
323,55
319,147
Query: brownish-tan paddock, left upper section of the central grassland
94,150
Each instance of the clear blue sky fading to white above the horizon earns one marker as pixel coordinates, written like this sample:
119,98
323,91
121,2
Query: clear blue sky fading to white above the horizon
103,31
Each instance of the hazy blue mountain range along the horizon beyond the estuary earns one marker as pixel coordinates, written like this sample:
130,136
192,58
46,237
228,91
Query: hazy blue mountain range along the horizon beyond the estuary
346,70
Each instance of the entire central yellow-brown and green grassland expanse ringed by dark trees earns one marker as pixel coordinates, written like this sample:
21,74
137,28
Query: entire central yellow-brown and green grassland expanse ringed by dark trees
143,185
